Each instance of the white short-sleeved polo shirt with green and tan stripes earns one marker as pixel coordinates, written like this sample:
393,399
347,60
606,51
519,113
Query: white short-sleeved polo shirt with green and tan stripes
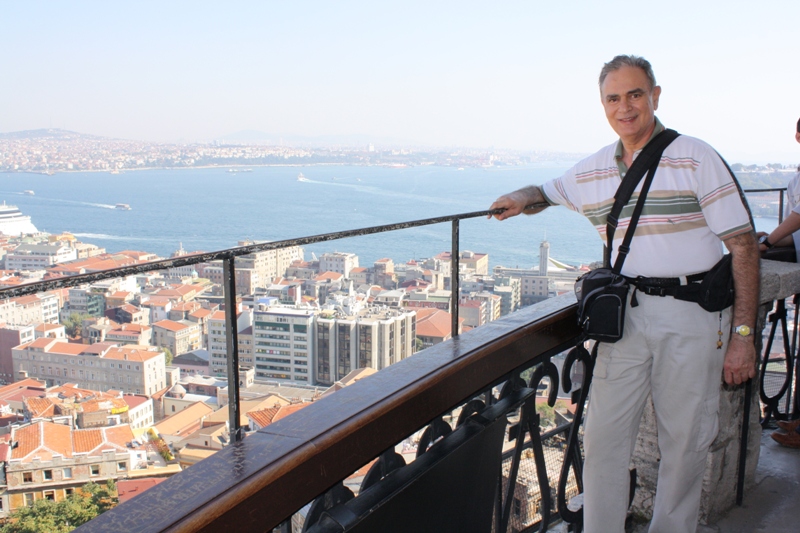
692,206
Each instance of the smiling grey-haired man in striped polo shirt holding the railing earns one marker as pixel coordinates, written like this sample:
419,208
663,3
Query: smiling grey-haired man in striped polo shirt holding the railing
671,349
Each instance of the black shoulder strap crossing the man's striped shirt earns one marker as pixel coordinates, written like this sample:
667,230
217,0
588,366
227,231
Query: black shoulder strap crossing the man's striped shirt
647,159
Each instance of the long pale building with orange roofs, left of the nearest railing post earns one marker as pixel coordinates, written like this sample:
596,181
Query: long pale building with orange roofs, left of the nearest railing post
102,366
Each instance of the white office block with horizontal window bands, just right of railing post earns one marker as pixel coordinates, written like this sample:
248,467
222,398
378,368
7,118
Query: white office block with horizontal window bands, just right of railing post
283,343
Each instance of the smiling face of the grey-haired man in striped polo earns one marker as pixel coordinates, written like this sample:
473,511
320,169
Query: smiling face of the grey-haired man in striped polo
630,104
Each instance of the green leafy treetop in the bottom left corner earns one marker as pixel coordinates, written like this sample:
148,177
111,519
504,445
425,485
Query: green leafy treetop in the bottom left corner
47,516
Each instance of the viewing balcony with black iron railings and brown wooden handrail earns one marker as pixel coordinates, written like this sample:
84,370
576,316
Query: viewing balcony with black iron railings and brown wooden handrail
489,455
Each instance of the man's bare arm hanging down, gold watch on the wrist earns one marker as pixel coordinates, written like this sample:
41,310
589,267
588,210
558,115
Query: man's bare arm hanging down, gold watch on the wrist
740,358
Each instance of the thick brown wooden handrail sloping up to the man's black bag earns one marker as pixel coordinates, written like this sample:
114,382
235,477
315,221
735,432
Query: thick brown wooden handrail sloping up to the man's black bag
255,484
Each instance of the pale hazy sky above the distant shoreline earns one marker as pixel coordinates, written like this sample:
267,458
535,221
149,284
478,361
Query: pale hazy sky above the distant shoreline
505,74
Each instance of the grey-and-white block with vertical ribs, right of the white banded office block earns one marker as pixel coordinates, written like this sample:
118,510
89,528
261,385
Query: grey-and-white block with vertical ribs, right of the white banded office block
374,337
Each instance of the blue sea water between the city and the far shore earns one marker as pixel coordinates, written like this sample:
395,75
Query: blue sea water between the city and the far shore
213,208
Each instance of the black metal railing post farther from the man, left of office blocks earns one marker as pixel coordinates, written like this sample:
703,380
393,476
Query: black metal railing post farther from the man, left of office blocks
232,342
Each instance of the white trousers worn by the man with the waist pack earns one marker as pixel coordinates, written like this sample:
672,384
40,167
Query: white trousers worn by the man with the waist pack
669,349
